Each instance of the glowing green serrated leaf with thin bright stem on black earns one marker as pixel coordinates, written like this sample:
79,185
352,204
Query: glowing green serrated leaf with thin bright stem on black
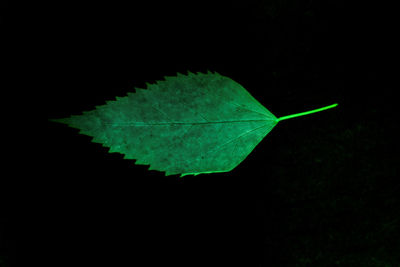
187,124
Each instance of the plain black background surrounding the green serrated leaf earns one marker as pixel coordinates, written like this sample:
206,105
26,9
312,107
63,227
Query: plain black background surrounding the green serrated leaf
321,190
